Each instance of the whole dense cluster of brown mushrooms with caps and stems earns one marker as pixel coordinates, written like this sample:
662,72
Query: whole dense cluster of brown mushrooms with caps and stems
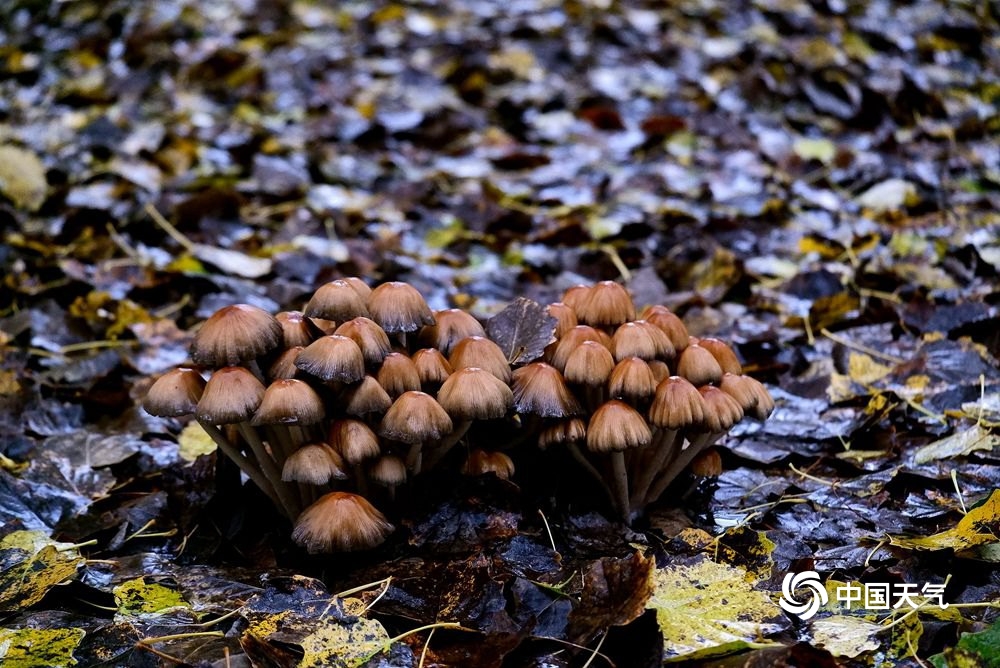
333,407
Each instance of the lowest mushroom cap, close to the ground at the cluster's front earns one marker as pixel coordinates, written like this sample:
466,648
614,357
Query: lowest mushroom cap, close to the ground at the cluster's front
340,522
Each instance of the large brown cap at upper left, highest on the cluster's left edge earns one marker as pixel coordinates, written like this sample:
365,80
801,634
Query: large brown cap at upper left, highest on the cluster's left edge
235,334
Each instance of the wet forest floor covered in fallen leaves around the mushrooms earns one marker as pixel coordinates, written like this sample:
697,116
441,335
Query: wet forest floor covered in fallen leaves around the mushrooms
817,183
